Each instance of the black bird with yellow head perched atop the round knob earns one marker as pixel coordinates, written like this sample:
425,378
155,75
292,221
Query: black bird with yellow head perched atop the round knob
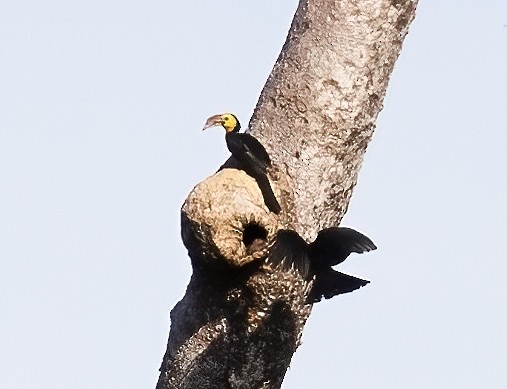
249,152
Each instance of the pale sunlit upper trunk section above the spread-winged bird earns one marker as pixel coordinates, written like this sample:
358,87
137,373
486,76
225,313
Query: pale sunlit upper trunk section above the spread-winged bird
317,111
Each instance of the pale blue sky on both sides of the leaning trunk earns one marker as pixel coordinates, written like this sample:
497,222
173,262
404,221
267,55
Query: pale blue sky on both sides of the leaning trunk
101,107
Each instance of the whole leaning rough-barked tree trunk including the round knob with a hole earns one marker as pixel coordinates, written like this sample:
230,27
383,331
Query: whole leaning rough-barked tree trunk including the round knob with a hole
241,319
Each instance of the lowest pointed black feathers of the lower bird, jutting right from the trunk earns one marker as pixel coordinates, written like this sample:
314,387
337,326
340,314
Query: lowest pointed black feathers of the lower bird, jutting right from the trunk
329,283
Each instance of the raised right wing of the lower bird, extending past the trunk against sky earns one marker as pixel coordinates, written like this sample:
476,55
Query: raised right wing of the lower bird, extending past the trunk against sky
333,245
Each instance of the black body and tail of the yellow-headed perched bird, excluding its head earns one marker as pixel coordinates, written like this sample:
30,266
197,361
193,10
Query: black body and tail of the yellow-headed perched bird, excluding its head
255,161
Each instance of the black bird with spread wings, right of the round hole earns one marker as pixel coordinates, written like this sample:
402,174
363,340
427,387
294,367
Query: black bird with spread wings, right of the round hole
332,246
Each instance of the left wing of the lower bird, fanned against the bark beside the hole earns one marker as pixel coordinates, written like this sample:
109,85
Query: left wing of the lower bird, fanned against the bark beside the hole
290,250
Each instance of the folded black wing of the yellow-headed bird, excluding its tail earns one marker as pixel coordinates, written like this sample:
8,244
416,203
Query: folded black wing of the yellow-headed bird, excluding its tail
249,151
